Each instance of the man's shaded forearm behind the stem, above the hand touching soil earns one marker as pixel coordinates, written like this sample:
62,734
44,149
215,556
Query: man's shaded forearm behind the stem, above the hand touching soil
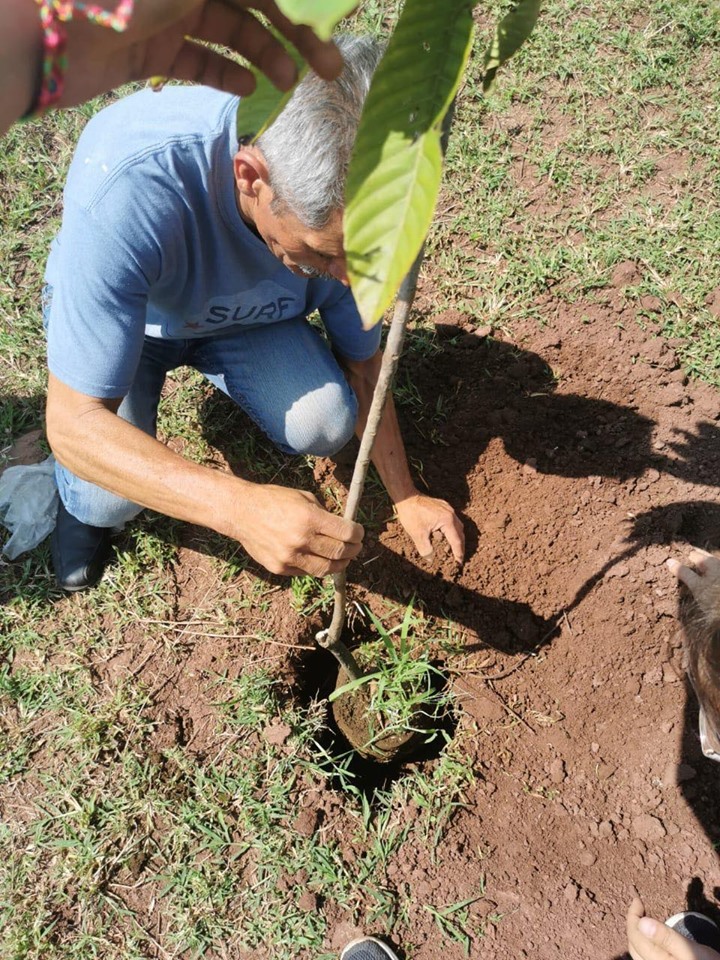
388,454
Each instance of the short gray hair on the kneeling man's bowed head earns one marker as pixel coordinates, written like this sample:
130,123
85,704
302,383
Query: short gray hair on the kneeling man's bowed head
307,149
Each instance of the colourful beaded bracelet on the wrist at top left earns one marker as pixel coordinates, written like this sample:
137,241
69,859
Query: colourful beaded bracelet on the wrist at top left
54,14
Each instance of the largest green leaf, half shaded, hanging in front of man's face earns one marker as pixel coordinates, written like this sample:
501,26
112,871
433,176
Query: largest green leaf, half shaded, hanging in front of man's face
396,166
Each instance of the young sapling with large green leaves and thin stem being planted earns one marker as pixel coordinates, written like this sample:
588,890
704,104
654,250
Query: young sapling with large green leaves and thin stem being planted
394,175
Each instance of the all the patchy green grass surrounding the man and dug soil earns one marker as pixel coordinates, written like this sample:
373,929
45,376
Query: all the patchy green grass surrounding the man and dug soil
154,757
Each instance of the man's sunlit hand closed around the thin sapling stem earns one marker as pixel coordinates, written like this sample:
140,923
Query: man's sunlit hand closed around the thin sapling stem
291,534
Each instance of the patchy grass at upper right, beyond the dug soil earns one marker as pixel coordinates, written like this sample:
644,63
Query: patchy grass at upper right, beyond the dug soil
598,147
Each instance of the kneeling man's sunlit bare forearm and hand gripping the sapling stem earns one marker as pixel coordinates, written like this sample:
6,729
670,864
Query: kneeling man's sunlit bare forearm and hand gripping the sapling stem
287,531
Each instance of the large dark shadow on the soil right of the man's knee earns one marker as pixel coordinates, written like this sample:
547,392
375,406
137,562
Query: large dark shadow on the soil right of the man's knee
511,393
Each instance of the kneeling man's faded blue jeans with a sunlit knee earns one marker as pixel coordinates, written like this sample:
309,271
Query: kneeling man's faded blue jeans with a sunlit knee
283,376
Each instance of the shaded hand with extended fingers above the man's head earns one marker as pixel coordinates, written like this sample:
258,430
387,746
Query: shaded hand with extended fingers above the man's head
155,44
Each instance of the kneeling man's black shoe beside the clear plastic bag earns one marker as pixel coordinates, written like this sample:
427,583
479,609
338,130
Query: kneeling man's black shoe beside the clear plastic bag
79,551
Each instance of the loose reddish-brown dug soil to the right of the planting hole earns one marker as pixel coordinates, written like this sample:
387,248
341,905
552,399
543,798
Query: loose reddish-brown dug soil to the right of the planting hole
580,458
